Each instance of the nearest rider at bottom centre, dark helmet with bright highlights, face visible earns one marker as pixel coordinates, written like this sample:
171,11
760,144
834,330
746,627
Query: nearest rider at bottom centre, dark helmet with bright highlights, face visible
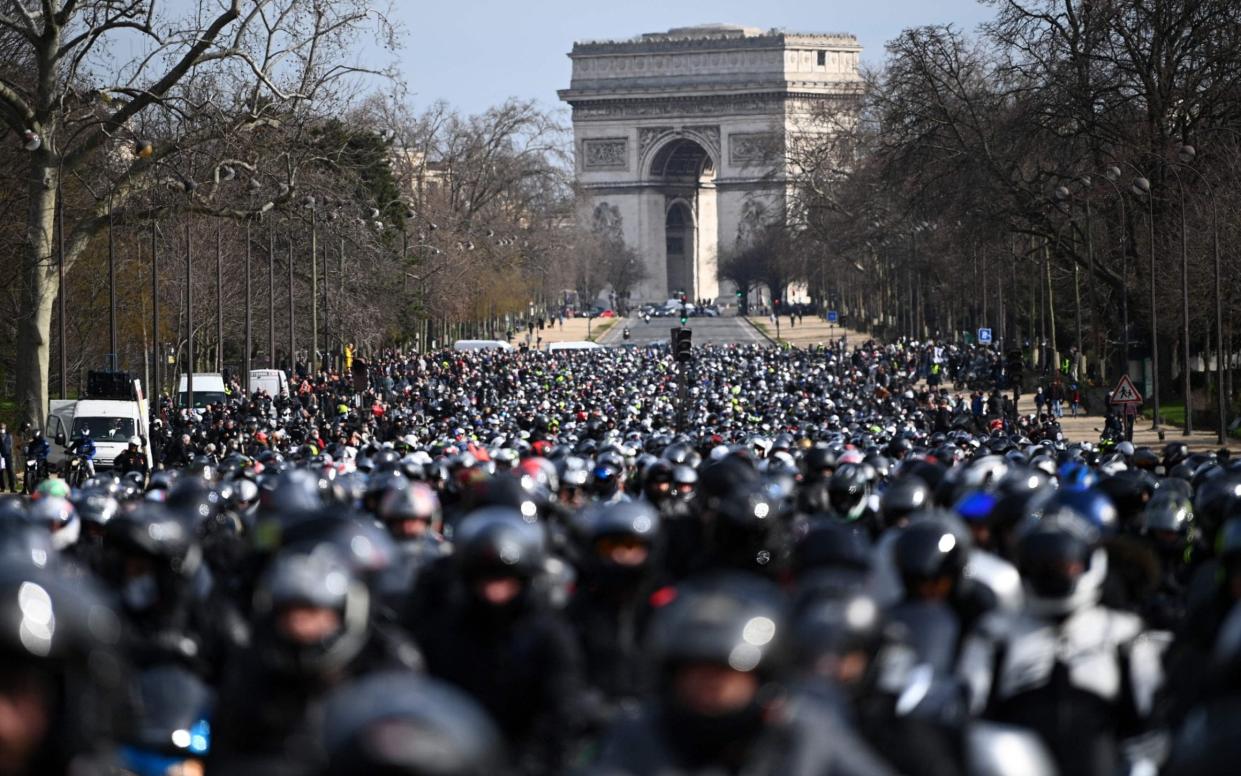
723,705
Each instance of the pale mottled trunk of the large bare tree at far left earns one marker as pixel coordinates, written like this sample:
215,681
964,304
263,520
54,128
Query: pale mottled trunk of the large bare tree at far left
39,289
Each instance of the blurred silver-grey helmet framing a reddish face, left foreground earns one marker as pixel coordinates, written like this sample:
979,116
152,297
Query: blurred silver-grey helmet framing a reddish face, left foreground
318,580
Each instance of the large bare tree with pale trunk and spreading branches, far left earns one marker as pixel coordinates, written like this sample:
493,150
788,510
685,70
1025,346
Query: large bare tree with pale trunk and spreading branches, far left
198,110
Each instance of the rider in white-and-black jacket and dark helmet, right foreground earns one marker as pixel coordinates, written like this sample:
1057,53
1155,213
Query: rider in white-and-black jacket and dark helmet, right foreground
1082,676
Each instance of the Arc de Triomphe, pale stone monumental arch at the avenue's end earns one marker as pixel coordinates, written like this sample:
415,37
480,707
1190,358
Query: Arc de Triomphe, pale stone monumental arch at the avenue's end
681,138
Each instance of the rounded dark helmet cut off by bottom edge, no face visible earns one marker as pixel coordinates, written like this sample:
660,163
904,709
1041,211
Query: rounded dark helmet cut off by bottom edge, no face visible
403,724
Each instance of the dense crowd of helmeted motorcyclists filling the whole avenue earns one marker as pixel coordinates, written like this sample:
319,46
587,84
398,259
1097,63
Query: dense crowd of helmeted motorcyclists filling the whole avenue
491,563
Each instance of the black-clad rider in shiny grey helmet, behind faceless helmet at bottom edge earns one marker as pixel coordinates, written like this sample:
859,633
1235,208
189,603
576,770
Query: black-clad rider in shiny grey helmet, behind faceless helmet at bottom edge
486,626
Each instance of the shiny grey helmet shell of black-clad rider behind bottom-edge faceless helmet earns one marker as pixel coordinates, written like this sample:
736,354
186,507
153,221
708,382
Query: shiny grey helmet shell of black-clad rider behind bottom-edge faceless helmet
500,542
